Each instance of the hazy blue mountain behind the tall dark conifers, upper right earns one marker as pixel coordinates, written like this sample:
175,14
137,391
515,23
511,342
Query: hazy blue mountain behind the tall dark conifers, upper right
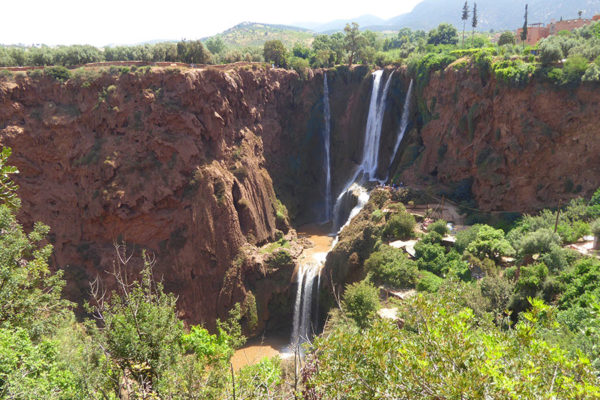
493,14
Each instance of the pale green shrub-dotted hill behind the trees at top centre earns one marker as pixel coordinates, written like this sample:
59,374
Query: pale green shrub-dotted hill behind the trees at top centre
256,34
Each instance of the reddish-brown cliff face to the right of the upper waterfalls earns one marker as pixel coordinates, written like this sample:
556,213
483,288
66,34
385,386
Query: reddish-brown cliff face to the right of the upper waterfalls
512,149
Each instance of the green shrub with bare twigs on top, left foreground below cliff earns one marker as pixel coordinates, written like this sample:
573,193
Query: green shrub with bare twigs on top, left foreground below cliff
138,327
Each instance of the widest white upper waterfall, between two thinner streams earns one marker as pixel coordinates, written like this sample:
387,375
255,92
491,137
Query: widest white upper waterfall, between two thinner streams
367,170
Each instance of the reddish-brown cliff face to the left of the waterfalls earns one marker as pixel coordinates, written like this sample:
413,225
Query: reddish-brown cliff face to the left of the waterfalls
170,161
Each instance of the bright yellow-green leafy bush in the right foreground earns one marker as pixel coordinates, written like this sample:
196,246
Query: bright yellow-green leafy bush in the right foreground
445,351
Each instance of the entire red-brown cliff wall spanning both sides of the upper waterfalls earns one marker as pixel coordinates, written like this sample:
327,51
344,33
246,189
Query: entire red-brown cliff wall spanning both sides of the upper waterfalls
204,168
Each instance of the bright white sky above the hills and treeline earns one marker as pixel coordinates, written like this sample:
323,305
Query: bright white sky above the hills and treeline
133,21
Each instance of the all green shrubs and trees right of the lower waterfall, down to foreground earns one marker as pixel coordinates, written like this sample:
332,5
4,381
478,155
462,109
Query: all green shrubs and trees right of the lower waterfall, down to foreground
515,312
